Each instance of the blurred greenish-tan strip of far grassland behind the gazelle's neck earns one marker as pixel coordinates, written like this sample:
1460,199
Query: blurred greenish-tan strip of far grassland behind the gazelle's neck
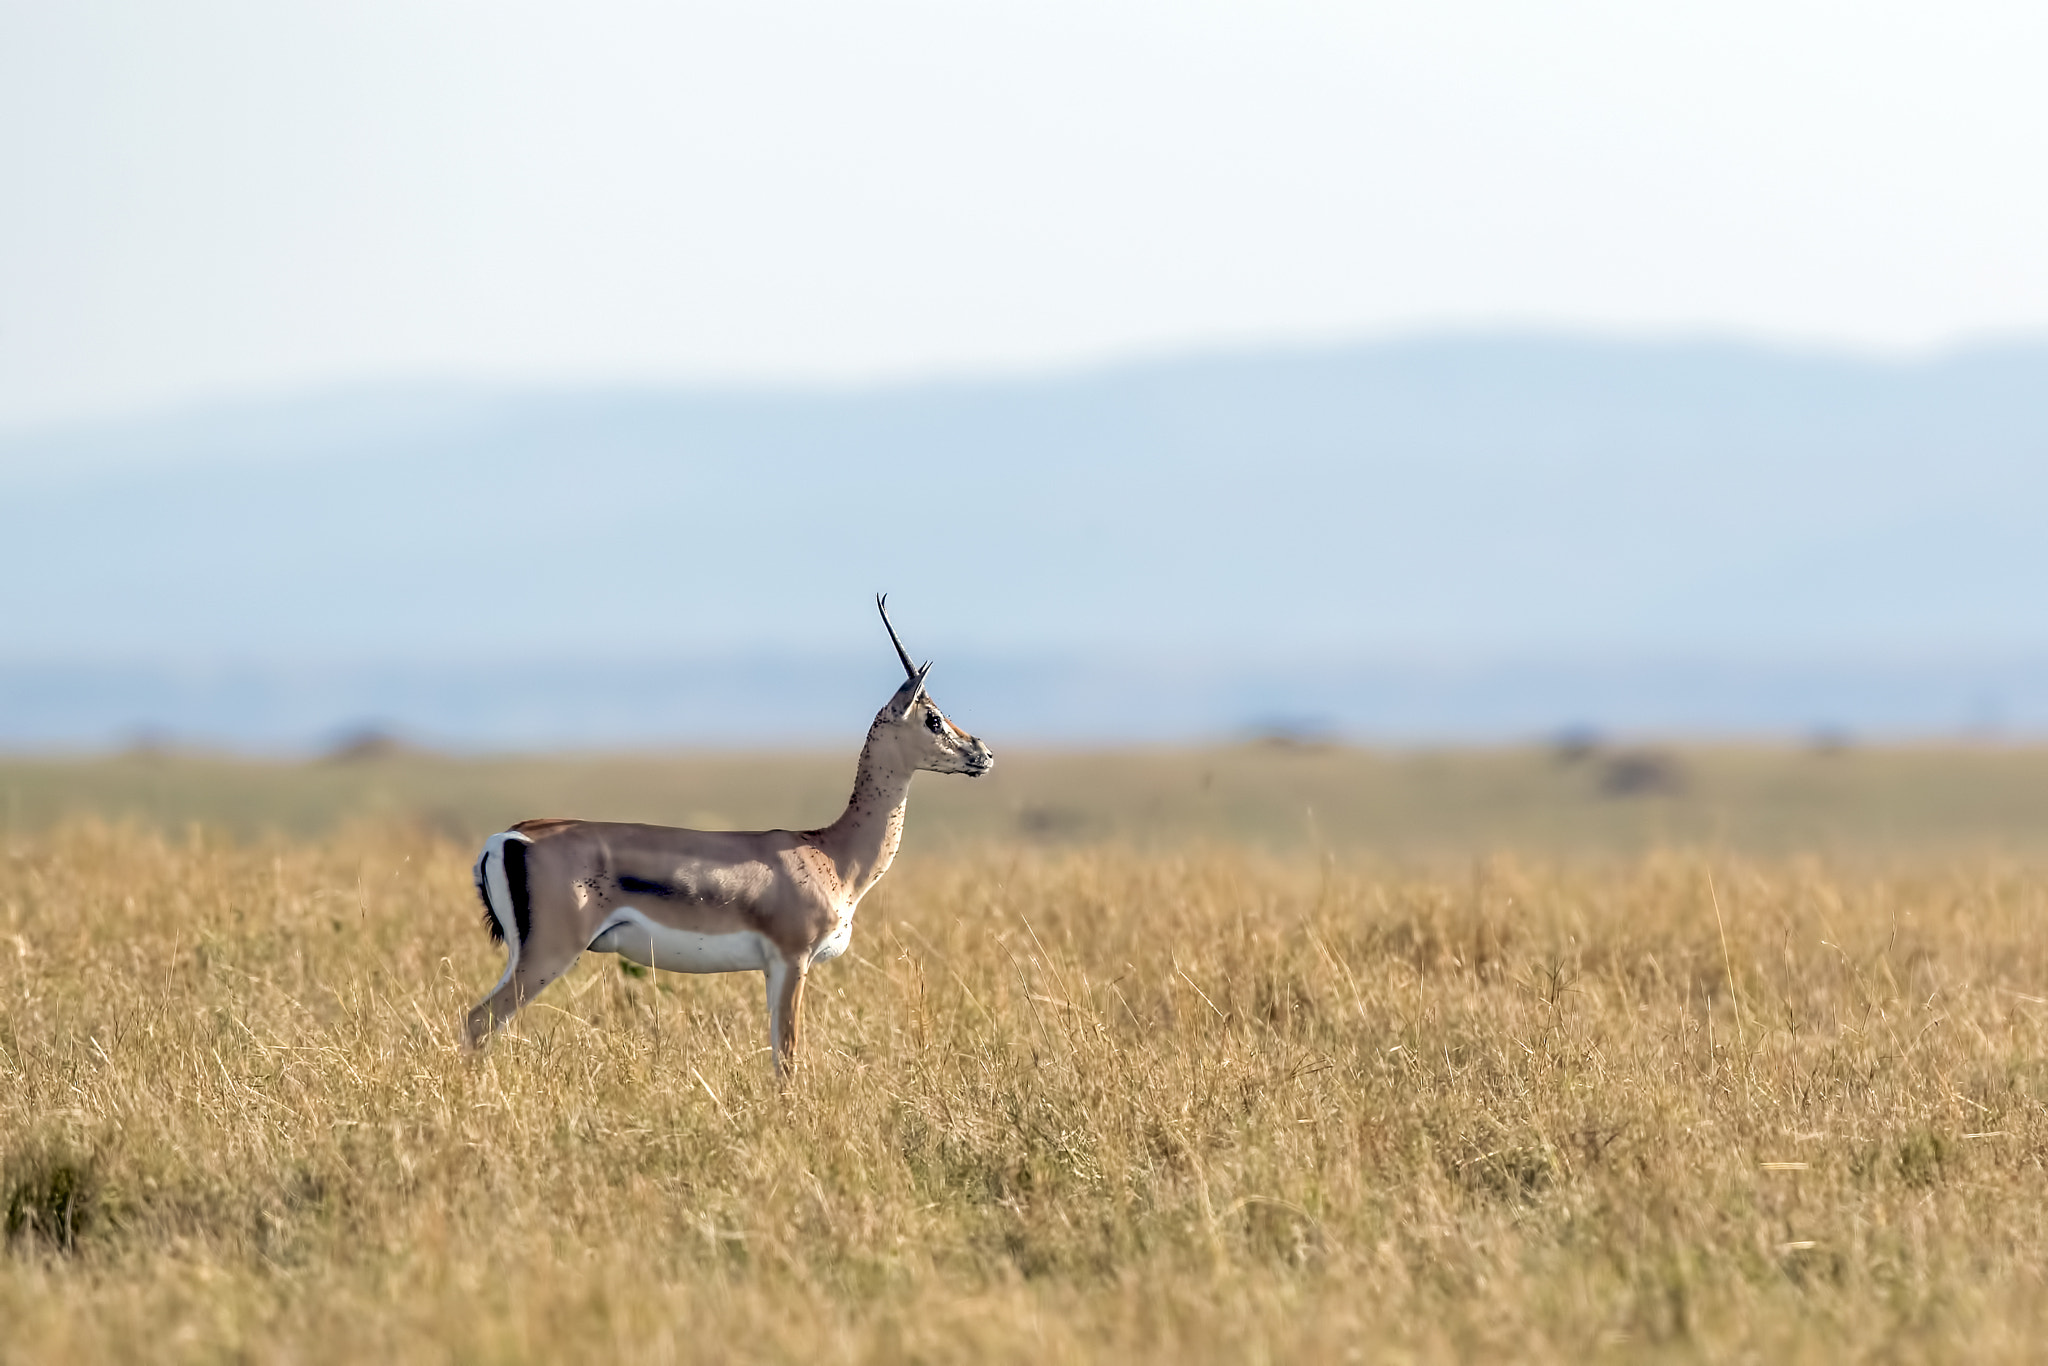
1445,804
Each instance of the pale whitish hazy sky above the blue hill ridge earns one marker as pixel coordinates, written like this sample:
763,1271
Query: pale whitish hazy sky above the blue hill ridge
224,198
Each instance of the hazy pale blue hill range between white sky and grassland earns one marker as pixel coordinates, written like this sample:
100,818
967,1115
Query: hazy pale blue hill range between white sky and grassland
1240,540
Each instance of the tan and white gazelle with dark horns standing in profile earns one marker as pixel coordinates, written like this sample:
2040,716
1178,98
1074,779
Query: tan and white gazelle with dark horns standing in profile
773,902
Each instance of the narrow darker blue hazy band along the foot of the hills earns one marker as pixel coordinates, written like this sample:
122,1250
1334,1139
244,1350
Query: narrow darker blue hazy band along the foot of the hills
818,706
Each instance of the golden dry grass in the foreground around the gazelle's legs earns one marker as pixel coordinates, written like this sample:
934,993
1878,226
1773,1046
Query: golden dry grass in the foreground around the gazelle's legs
1060,1107
